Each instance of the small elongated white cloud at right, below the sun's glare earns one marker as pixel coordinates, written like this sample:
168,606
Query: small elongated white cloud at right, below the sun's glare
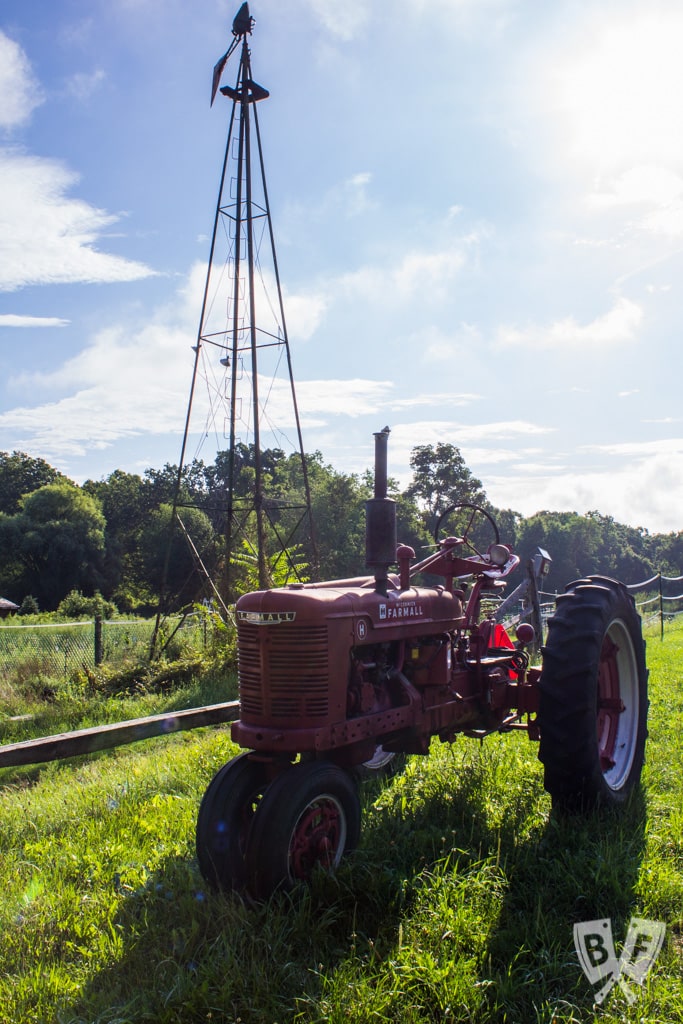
618,327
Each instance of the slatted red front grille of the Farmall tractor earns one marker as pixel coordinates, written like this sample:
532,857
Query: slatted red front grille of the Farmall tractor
284,673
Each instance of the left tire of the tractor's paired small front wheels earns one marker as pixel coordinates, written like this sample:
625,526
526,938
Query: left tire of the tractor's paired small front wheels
225,821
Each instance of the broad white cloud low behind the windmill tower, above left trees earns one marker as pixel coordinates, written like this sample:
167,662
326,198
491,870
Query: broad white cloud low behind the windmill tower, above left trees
134,381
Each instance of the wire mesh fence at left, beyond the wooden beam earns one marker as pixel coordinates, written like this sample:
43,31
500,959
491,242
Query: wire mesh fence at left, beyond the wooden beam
60,650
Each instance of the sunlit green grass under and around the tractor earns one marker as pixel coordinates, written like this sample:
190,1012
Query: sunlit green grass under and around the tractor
459,905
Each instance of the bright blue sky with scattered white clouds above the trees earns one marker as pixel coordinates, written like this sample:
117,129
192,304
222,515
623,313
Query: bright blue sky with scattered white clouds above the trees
479,212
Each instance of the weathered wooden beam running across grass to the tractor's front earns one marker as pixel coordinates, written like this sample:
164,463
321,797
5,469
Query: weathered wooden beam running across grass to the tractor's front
101,738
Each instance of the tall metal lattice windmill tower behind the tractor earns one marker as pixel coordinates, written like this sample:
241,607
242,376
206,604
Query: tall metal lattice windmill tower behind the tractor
243,394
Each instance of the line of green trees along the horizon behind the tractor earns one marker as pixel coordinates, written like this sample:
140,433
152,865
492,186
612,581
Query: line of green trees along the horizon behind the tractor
117,537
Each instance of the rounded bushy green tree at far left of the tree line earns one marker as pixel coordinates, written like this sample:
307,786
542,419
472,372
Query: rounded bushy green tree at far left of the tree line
58,544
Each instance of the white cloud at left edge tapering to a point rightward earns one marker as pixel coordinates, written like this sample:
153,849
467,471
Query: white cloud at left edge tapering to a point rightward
48,237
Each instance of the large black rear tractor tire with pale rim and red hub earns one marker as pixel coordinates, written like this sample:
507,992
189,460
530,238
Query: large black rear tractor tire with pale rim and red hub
593,697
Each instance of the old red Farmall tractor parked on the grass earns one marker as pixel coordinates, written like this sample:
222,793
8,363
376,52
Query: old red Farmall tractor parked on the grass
336,676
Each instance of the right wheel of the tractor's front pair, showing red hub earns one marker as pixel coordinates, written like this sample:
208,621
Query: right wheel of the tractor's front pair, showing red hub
310,818
